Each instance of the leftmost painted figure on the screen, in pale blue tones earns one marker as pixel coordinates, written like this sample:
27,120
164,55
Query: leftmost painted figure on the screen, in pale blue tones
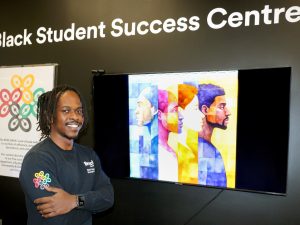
146,116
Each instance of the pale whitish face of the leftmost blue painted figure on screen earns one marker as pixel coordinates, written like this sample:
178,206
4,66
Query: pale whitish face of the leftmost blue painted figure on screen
143,112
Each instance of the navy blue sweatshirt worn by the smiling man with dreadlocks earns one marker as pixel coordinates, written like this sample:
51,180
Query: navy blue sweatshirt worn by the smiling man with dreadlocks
77,171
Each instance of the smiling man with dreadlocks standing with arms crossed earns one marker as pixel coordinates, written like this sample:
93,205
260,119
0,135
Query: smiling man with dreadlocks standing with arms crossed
63,181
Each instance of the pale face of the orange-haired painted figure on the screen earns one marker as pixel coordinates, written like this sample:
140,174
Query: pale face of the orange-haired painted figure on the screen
192,116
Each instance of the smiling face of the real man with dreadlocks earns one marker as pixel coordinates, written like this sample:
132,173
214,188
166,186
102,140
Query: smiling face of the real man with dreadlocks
69,116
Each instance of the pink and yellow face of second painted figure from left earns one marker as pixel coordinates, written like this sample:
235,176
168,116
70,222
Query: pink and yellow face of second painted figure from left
171,118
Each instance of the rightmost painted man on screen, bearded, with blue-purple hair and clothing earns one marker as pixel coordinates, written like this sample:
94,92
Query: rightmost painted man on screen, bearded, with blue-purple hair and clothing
212,104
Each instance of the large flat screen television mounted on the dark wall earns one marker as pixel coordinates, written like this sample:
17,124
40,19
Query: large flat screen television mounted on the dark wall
222,129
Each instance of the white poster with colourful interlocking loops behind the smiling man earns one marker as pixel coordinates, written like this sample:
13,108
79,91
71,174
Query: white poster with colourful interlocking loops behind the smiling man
20,88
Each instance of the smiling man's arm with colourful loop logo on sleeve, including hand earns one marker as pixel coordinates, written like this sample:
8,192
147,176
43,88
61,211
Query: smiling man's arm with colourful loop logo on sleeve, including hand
37,174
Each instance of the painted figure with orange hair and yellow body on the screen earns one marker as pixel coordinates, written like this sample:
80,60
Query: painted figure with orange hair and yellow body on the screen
185,141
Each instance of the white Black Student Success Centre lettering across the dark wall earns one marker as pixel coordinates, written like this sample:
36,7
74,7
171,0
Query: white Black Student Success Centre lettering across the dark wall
216,19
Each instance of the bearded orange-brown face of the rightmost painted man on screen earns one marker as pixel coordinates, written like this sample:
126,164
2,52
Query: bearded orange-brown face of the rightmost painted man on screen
218,114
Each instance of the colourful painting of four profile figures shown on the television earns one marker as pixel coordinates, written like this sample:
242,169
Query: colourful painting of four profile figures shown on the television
183,127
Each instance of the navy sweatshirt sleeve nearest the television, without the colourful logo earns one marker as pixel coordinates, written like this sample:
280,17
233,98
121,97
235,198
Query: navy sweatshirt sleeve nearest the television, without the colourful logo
101,197
